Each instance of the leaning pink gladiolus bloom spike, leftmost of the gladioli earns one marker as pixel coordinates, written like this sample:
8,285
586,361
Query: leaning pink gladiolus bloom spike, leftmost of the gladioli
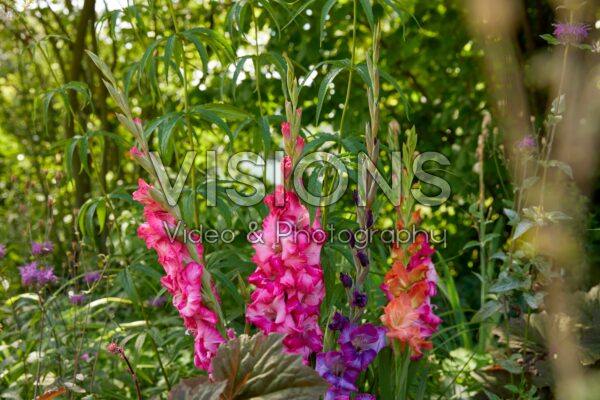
183,277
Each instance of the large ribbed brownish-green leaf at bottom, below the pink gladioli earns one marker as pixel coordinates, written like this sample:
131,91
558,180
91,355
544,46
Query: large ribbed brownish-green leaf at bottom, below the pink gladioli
258,368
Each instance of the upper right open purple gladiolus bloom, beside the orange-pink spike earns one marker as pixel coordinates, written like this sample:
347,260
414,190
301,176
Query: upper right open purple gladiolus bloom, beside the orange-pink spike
361,344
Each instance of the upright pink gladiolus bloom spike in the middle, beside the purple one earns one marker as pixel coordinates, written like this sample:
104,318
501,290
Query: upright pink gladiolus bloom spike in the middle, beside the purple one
288,278
